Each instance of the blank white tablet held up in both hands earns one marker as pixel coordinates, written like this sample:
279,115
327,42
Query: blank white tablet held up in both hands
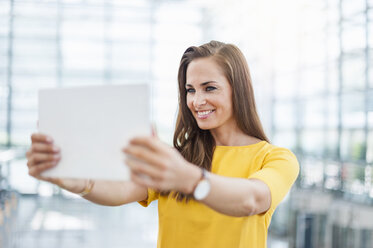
91,125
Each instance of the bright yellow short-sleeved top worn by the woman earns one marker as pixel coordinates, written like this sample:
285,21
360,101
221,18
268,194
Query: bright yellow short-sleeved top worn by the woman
192,224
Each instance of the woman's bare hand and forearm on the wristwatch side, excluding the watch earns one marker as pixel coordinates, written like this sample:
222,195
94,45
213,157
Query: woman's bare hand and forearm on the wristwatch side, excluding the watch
166,169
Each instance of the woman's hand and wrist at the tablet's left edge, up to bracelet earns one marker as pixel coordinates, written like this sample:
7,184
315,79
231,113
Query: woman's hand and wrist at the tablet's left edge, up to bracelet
44,155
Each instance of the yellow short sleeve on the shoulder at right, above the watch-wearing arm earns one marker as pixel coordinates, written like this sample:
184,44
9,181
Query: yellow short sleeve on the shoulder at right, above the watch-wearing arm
280,170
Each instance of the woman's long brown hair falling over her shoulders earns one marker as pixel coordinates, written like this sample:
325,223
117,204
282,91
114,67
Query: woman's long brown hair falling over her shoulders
197,145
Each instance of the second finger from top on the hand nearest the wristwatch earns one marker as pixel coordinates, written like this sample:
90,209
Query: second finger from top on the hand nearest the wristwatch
144,154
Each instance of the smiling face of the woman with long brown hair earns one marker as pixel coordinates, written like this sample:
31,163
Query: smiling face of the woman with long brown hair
209,95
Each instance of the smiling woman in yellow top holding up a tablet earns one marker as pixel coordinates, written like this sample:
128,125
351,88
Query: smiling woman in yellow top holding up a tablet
222,181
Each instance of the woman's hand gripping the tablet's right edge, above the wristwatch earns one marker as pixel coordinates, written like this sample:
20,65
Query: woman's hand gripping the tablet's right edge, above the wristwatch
156,165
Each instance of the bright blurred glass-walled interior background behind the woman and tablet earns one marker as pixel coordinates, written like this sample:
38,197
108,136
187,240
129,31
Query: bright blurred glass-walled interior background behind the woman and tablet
312,70
